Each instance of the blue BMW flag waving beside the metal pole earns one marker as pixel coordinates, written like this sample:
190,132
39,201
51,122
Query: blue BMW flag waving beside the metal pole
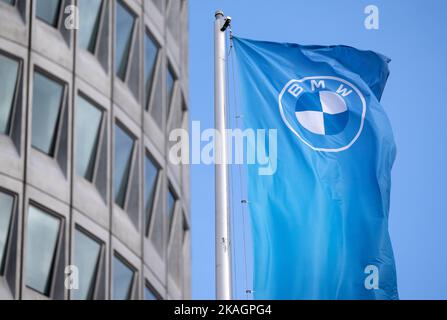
320,222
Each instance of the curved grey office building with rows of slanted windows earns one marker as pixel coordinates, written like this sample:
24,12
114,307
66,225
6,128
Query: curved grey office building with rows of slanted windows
90,206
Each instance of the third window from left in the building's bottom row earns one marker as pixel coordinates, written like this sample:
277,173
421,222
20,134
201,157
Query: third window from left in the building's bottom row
86,258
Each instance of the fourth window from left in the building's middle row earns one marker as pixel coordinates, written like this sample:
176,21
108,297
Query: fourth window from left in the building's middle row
124,145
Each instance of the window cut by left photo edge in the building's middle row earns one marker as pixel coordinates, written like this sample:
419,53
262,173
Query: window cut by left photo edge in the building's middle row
9,71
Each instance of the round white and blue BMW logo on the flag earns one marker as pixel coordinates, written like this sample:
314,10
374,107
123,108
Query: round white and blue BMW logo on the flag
326,113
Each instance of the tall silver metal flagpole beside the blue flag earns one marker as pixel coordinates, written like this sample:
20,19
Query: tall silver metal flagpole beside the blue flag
223,252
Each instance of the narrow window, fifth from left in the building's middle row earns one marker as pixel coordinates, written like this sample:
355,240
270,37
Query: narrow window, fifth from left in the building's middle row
150,183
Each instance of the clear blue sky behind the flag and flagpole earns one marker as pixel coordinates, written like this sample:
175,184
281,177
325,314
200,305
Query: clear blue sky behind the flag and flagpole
412,33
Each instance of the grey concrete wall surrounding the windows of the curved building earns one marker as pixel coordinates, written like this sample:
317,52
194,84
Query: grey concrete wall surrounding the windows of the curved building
51,183
